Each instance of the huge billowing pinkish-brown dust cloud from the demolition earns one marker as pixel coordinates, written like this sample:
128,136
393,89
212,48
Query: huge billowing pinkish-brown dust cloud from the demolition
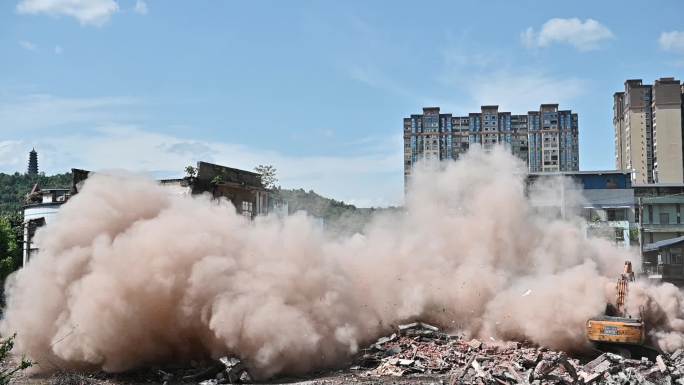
131,275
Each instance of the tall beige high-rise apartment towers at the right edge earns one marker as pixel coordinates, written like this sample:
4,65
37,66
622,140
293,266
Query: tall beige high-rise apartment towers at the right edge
648,131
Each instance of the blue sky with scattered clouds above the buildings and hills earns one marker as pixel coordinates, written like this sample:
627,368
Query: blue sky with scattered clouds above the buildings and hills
316,88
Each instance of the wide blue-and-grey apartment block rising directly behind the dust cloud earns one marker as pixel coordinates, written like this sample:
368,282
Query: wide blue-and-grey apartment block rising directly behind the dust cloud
547,140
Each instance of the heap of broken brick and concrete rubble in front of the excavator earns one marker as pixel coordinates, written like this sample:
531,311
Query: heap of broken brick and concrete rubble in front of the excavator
422,349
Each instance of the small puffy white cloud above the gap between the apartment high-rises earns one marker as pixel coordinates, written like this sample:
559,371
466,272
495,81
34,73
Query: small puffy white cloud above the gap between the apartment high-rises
584,35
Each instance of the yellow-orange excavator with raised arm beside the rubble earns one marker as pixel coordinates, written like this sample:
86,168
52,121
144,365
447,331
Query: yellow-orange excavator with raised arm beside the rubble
617,331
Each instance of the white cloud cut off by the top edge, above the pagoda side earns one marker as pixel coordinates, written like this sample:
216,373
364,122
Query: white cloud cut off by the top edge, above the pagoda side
88,12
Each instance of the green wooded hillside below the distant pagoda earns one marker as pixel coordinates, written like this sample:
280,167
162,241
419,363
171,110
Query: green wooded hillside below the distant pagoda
14,187
